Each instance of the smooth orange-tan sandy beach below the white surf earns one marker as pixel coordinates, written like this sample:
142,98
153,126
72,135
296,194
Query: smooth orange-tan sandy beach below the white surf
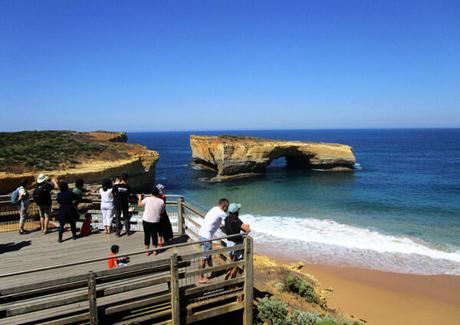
381,297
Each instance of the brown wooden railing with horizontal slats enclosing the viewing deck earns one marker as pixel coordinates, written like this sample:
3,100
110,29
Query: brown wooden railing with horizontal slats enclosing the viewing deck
164,291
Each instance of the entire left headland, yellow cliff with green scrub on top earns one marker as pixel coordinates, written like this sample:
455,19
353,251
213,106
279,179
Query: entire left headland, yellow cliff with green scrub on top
70,155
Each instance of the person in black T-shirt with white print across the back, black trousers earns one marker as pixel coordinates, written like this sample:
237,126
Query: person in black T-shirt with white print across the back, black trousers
121,193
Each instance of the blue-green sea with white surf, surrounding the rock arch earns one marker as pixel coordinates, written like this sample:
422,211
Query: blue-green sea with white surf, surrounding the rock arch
399,211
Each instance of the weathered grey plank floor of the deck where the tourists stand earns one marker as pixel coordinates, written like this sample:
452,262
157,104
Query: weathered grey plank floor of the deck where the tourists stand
35,250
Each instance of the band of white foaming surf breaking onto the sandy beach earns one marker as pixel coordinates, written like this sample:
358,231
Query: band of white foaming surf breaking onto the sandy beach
327,239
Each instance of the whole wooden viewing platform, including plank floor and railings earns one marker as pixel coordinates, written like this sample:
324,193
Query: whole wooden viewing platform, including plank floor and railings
42,281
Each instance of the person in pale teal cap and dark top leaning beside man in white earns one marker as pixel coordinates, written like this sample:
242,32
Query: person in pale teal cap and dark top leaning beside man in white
233,226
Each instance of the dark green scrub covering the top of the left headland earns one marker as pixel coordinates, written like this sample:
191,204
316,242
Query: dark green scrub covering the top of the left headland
47,150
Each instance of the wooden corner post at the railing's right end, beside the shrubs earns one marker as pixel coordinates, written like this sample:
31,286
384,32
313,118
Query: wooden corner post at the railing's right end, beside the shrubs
248,281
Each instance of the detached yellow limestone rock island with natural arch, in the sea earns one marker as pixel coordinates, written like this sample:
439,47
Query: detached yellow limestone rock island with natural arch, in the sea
234,157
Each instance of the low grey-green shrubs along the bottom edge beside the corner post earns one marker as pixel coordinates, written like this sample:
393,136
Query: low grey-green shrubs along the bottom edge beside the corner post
275,312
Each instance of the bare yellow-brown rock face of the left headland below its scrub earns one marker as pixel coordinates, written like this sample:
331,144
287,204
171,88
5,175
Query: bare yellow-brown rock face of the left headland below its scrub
105,155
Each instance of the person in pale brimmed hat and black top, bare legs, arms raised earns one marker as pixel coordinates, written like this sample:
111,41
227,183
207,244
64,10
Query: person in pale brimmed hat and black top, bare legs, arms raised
42,198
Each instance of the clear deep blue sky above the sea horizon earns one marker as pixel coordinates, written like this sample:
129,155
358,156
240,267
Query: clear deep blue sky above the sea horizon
210,65
